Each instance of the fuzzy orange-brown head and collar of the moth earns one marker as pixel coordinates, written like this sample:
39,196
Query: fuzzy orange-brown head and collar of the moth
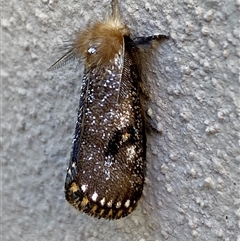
100,43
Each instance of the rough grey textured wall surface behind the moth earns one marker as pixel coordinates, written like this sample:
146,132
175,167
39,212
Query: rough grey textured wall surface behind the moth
192,184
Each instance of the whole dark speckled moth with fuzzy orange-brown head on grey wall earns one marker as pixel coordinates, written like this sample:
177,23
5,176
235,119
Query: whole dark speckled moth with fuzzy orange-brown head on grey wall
107,166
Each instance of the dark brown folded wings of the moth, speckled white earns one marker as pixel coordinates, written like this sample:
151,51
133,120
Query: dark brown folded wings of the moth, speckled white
107,166
